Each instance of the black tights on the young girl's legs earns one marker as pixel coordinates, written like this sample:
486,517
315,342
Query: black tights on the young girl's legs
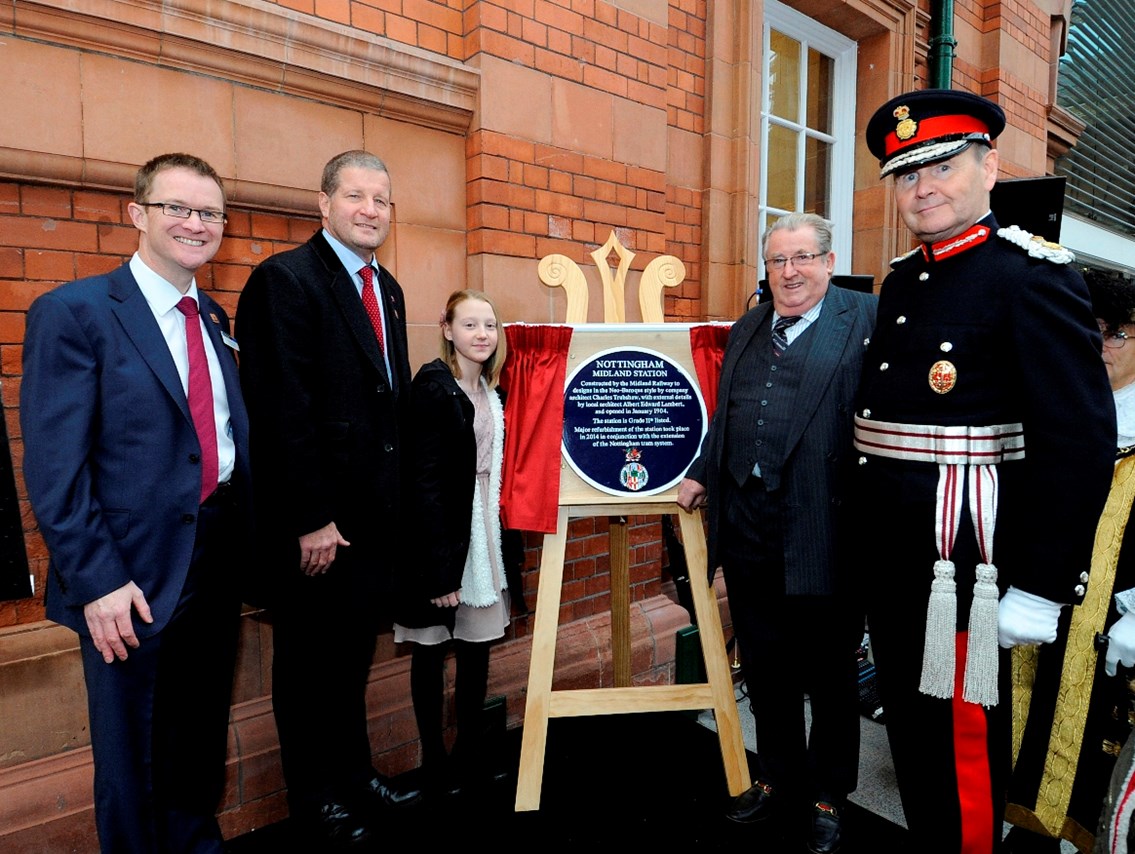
427,690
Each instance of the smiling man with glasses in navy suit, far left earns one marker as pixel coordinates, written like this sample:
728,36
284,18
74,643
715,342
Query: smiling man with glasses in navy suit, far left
137,462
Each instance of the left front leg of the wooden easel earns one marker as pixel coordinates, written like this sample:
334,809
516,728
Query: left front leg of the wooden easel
534,740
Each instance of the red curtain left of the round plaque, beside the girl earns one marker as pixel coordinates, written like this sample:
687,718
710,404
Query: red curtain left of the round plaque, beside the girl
534,378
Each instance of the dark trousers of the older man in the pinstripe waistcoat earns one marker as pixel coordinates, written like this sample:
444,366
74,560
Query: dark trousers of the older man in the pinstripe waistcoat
792,647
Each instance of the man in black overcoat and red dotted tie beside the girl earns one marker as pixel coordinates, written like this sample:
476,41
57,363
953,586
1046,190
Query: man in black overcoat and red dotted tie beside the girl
327,376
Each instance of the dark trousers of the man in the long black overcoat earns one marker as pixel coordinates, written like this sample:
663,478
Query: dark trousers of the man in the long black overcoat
324,647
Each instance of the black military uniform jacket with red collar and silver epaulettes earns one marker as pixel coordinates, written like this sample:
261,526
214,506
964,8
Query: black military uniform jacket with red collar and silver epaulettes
1025,348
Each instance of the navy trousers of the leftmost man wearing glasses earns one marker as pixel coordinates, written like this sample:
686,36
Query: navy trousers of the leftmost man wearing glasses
159,721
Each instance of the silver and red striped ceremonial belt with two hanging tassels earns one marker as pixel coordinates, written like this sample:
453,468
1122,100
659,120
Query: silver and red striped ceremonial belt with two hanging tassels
968,459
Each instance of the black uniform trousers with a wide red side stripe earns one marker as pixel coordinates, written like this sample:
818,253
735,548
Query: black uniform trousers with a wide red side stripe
952,759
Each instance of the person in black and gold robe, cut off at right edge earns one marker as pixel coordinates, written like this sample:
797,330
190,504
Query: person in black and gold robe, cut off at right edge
1071,708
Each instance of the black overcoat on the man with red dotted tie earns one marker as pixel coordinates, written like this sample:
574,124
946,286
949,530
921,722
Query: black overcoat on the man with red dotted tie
329,425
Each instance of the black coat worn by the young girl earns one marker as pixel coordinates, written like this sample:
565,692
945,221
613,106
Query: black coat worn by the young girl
443,467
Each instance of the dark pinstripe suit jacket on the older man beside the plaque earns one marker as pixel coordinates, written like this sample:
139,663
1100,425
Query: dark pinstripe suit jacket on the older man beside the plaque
818,450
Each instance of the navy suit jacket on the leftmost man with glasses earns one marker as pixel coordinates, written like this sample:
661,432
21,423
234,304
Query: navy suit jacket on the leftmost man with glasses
112,457
